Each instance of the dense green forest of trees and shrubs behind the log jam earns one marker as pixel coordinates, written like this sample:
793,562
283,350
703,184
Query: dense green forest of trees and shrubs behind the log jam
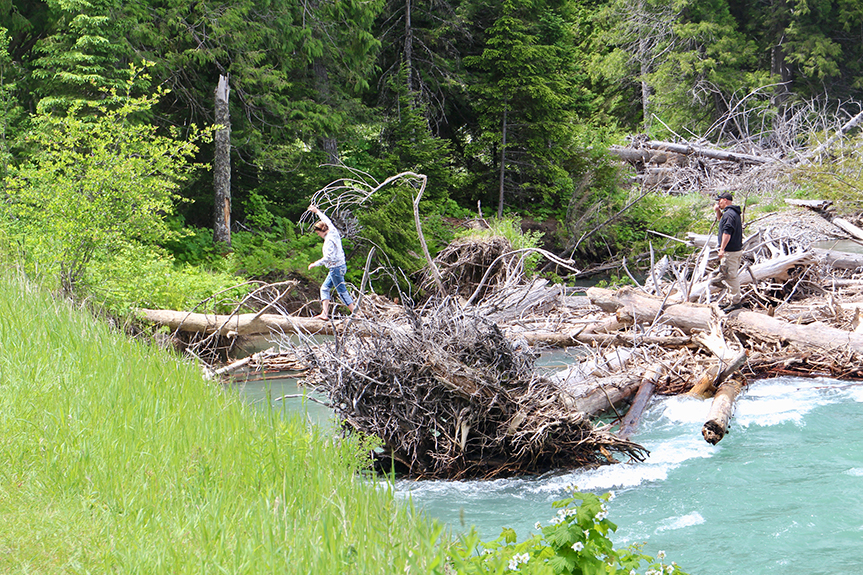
122,122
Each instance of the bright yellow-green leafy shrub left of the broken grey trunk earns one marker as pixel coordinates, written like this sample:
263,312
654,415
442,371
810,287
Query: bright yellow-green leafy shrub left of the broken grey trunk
95,180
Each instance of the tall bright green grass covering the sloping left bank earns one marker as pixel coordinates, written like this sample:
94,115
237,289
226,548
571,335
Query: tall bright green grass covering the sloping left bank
115,457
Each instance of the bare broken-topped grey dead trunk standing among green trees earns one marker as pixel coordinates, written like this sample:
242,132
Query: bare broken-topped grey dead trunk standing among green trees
222,167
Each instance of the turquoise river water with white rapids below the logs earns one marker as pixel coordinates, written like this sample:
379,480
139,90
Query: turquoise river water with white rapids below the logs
779,494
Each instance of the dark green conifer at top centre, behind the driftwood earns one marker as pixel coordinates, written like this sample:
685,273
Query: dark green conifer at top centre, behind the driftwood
527,100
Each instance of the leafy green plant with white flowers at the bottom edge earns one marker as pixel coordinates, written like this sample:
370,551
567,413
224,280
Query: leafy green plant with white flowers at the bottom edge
575,542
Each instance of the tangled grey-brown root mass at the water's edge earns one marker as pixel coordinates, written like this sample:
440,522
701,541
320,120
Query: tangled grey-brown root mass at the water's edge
451,397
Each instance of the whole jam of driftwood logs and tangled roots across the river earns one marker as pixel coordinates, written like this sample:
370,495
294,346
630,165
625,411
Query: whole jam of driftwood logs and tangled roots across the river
453,390
